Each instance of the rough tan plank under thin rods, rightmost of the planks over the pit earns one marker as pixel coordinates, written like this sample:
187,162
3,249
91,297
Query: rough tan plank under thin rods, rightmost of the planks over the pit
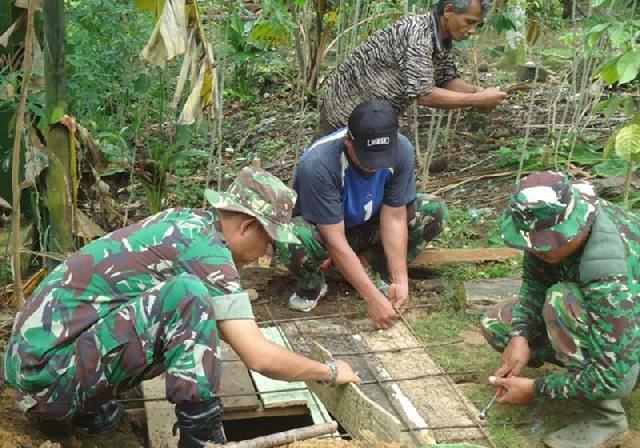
436,400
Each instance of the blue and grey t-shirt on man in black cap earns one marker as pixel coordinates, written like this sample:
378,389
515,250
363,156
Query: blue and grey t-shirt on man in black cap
331,190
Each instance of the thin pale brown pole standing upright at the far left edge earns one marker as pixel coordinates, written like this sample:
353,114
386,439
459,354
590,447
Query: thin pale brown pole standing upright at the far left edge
15,161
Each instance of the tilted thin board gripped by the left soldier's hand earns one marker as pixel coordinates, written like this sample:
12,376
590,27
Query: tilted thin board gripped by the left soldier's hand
355,412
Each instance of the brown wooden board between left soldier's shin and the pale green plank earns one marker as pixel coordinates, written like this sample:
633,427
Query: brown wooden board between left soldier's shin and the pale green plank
236,380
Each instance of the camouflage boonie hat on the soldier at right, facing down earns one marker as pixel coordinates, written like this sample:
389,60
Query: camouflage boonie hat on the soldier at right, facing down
547,211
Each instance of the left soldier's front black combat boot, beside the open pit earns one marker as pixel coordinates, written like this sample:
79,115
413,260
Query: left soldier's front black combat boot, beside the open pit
200,423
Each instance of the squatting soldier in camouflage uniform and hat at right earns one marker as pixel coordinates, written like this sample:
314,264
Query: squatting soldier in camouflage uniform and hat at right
579,305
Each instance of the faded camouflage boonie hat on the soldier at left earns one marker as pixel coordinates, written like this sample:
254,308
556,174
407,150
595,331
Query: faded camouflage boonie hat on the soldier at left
263,196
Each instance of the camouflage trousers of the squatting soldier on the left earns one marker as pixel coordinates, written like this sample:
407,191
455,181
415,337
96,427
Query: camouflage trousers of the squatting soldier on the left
171,328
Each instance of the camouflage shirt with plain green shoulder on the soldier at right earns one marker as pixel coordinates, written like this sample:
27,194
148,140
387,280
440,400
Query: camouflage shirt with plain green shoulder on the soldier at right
607,269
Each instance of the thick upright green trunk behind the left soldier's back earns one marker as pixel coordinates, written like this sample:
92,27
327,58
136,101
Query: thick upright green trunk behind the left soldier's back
59,180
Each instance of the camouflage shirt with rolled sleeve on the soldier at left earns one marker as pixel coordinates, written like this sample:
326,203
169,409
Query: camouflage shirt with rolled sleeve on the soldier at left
110,272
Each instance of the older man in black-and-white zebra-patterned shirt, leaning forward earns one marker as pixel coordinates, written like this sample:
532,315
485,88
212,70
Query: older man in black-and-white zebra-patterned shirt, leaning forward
409,60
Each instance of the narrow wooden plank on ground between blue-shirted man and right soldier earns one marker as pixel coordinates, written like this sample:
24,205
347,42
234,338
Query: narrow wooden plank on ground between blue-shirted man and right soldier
434,257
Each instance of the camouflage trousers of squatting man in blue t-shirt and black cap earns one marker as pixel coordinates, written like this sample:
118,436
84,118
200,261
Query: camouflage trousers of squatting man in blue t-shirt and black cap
427,216
